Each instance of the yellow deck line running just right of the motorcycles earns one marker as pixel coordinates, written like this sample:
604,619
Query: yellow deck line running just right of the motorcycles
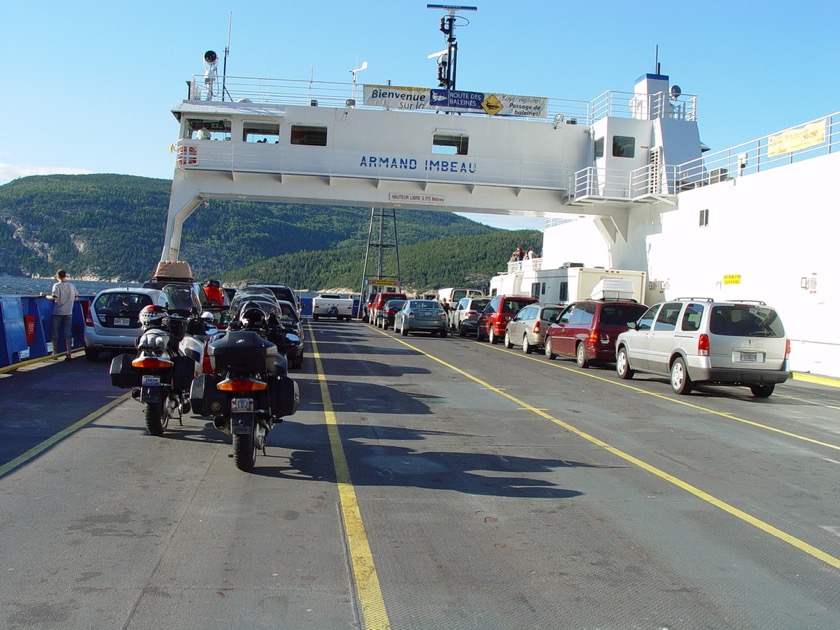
374,615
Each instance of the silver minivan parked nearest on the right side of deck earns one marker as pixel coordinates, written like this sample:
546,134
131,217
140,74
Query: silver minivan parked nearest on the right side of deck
700,340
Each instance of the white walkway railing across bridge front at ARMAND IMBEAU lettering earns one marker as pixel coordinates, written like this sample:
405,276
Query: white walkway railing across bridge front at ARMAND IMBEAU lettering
254,157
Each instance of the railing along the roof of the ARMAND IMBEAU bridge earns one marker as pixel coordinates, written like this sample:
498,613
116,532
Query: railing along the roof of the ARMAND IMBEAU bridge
342,94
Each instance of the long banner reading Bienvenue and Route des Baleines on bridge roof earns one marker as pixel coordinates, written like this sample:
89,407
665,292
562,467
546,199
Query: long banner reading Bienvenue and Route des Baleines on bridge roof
493,104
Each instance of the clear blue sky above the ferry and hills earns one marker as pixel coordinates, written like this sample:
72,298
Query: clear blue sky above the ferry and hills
87,87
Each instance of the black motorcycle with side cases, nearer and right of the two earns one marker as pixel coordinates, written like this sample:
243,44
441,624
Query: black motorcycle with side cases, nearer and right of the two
249,390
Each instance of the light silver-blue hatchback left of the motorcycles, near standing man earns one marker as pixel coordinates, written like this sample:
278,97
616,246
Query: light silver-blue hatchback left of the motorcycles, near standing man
112,324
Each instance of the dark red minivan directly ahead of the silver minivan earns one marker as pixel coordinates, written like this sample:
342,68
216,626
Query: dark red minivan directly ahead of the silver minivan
586,330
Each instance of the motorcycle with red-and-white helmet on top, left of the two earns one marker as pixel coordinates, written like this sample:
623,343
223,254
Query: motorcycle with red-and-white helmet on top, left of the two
161,373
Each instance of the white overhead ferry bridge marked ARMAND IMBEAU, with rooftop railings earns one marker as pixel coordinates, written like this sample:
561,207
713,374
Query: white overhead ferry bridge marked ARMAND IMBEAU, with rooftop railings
308,142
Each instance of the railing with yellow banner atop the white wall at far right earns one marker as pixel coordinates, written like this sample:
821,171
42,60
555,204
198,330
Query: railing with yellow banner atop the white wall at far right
817,137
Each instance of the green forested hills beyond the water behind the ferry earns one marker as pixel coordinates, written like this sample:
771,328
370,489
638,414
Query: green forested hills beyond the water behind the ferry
112,226
